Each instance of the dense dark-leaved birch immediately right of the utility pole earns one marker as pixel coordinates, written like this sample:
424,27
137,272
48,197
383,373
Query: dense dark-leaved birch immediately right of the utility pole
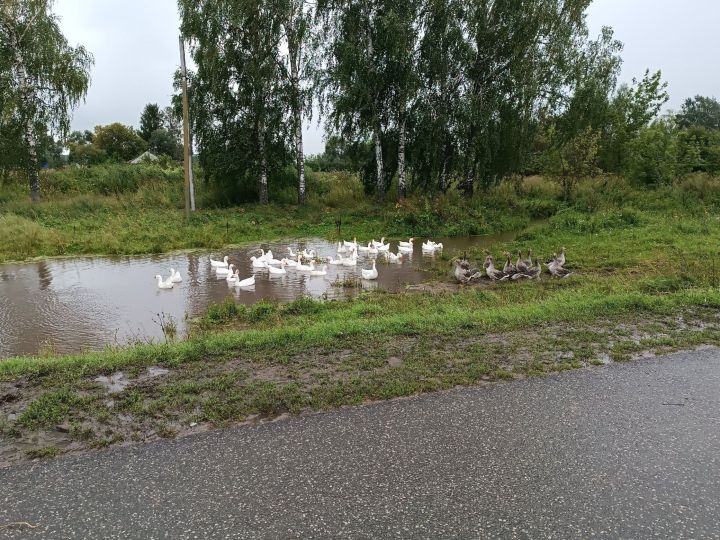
238,92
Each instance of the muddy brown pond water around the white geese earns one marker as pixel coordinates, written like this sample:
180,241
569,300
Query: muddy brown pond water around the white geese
71,305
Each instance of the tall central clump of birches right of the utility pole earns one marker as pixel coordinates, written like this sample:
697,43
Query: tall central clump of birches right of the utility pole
430,93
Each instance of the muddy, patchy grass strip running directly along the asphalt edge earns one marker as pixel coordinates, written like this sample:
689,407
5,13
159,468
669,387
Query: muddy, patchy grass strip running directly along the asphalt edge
45,416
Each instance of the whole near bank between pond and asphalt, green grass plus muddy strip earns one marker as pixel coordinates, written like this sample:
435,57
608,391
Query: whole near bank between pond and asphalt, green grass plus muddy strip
646,281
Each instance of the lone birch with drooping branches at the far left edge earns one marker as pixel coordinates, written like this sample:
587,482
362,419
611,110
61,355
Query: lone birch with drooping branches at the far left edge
42,77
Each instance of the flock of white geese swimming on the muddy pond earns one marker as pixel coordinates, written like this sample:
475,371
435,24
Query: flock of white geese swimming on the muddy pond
305,261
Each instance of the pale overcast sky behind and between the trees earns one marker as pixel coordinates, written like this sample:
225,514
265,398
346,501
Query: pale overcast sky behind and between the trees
135,44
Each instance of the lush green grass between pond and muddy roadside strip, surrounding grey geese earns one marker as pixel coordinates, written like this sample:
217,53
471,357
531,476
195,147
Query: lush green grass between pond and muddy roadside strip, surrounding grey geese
627,260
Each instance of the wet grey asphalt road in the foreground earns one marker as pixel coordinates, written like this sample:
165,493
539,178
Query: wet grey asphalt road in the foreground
621,451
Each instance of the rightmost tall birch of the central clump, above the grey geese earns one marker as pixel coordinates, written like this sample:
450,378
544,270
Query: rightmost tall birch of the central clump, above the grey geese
521,57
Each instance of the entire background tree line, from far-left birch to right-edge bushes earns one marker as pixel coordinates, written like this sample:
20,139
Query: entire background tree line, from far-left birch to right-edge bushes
427,95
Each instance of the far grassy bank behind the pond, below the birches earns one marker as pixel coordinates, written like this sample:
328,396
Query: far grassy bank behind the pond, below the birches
120,209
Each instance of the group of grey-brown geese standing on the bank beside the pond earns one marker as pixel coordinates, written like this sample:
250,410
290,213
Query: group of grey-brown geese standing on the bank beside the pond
524,268
